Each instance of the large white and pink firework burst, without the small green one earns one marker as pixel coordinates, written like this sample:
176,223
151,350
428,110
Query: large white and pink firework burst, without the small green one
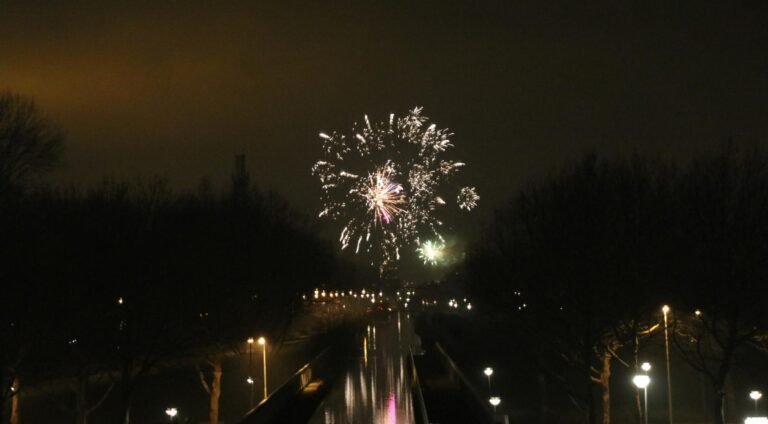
388,183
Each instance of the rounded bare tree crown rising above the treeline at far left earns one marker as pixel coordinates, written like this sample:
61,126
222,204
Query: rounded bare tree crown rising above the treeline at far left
29,141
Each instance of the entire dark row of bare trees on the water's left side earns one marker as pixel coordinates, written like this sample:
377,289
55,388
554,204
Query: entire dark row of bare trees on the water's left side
102,286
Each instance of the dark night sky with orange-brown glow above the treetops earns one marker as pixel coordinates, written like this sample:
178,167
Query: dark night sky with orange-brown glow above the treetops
178,87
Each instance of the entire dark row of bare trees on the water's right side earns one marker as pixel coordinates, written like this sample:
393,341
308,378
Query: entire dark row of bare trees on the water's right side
577,265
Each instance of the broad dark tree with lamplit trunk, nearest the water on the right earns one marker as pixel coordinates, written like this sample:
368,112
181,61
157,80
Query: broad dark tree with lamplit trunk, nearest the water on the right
572,261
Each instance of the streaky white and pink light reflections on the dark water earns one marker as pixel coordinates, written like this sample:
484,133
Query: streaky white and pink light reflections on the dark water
375,389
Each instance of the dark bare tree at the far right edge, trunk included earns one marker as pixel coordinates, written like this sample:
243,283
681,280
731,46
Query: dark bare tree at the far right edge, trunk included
723,205
